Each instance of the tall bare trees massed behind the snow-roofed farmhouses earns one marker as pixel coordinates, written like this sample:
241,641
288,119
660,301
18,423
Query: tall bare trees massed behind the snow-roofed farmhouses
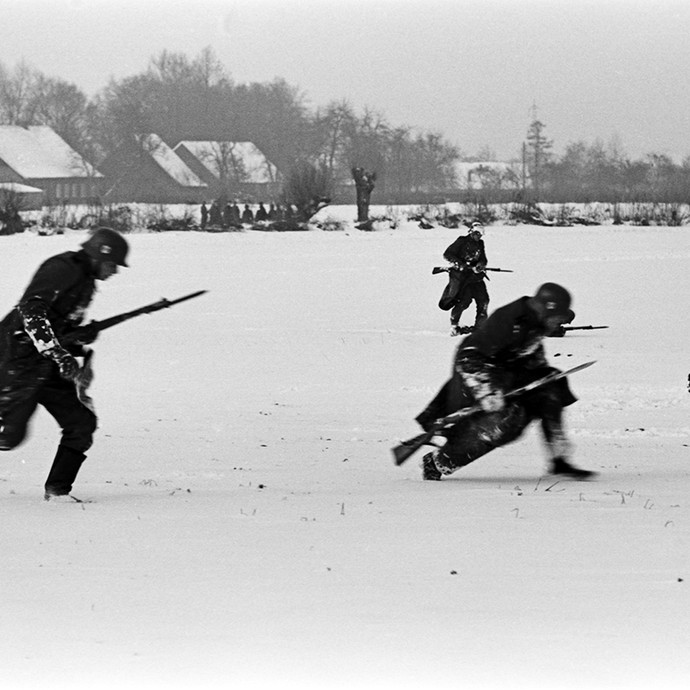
181,98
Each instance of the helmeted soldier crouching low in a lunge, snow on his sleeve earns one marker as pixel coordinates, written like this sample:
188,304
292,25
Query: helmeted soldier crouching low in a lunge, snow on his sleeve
504,353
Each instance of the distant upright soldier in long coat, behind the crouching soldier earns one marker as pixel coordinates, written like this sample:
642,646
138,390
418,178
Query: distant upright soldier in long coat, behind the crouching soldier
466,279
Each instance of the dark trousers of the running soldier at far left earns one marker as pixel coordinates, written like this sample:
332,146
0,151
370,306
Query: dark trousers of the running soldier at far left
59,398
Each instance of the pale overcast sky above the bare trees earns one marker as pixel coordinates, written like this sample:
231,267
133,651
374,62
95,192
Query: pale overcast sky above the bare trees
614,70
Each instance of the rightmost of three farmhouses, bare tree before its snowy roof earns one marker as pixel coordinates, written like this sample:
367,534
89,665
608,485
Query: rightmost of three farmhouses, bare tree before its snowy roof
232,169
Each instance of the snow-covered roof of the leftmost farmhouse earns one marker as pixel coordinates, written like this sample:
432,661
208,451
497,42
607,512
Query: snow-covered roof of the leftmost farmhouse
39,152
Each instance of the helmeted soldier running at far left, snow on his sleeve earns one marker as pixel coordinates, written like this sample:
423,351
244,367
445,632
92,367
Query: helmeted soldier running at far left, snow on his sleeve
35,368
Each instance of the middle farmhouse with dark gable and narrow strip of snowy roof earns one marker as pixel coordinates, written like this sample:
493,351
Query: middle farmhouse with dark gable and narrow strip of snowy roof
147,170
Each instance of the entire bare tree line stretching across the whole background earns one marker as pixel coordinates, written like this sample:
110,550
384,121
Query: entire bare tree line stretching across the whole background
183,98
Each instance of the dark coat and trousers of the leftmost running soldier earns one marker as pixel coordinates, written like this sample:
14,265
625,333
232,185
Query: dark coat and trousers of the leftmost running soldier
53,304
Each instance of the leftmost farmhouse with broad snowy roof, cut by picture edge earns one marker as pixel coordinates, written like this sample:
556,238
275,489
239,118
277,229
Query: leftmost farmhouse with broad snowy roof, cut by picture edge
37,157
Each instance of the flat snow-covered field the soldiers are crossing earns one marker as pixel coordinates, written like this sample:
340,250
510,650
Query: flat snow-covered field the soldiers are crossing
248,527
